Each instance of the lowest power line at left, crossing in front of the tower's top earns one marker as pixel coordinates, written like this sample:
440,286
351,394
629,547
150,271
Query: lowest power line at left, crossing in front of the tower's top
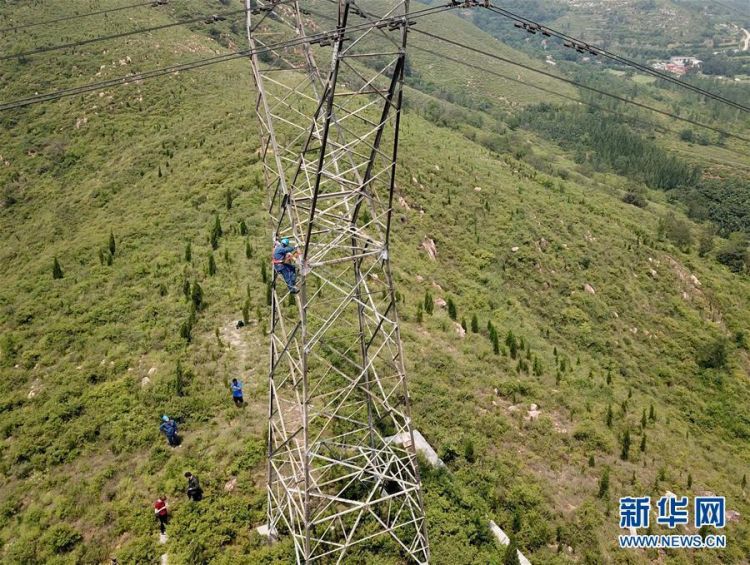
120,81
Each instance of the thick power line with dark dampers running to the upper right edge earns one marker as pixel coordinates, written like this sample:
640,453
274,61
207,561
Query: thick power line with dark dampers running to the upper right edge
583,47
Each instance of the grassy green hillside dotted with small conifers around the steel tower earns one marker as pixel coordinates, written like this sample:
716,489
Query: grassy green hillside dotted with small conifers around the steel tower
598,305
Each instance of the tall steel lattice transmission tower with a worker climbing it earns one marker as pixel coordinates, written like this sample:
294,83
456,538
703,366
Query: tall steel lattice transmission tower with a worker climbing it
342,468
